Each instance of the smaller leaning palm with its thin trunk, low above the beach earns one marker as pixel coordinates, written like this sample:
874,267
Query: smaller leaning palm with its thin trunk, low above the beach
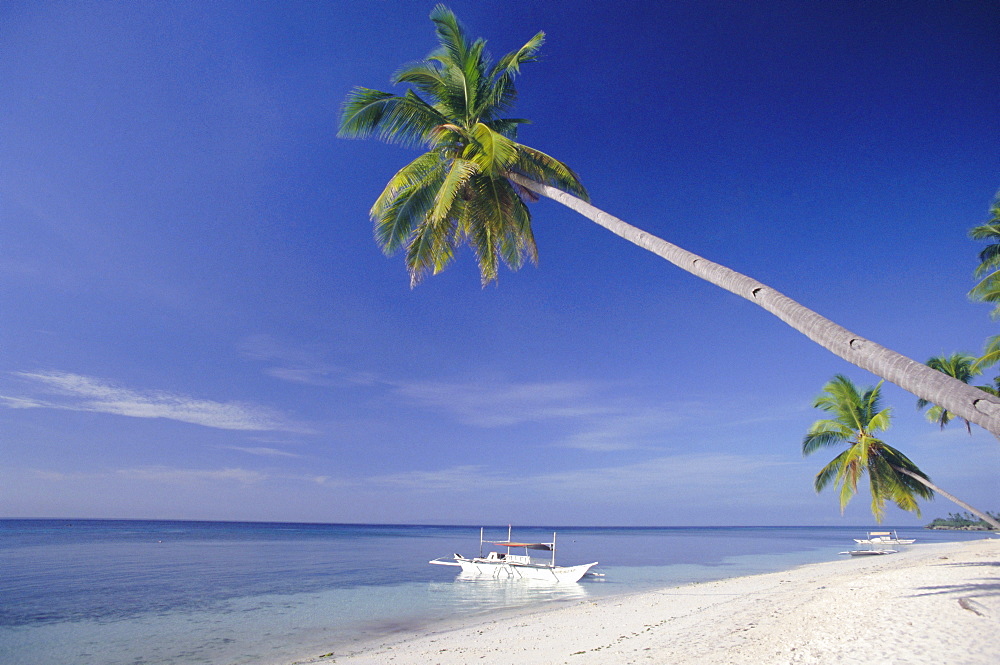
857,418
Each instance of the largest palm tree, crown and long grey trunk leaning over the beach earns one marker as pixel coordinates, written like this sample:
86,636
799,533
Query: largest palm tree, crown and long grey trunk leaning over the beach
472,184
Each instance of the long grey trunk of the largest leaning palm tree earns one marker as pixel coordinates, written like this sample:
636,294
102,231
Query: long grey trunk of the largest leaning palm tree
936,387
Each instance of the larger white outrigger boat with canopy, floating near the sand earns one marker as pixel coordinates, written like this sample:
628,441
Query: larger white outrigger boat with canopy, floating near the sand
505,565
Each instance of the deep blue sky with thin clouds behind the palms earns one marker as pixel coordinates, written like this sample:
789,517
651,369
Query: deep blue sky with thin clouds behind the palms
196,323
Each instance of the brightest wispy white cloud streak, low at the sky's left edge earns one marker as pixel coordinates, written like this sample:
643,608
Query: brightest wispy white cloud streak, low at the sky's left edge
74,392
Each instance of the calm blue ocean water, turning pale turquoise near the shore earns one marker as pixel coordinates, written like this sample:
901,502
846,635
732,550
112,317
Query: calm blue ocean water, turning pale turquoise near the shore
97,592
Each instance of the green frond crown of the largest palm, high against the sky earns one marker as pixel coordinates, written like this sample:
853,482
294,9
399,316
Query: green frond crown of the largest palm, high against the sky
459,191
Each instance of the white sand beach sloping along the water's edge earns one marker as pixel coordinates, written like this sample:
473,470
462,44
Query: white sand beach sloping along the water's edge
935,603
